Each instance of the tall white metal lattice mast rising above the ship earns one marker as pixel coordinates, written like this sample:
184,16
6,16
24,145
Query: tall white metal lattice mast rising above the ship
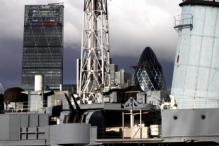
95,60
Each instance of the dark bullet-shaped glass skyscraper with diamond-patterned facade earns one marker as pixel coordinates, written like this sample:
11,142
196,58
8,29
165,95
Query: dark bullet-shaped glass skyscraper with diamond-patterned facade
148,72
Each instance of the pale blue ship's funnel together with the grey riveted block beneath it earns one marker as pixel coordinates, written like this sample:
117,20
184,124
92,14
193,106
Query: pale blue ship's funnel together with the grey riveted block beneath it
195,80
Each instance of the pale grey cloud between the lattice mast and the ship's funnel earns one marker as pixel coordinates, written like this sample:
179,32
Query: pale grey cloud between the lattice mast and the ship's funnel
135,25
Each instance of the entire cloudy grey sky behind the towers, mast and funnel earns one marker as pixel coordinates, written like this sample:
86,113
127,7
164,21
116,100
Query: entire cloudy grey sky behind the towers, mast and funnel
133,25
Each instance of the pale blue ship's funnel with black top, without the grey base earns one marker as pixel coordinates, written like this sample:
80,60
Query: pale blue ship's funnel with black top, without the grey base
196,71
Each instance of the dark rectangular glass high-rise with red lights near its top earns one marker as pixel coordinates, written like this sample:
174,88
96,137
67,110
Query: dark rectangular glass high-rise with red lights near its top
43,45
